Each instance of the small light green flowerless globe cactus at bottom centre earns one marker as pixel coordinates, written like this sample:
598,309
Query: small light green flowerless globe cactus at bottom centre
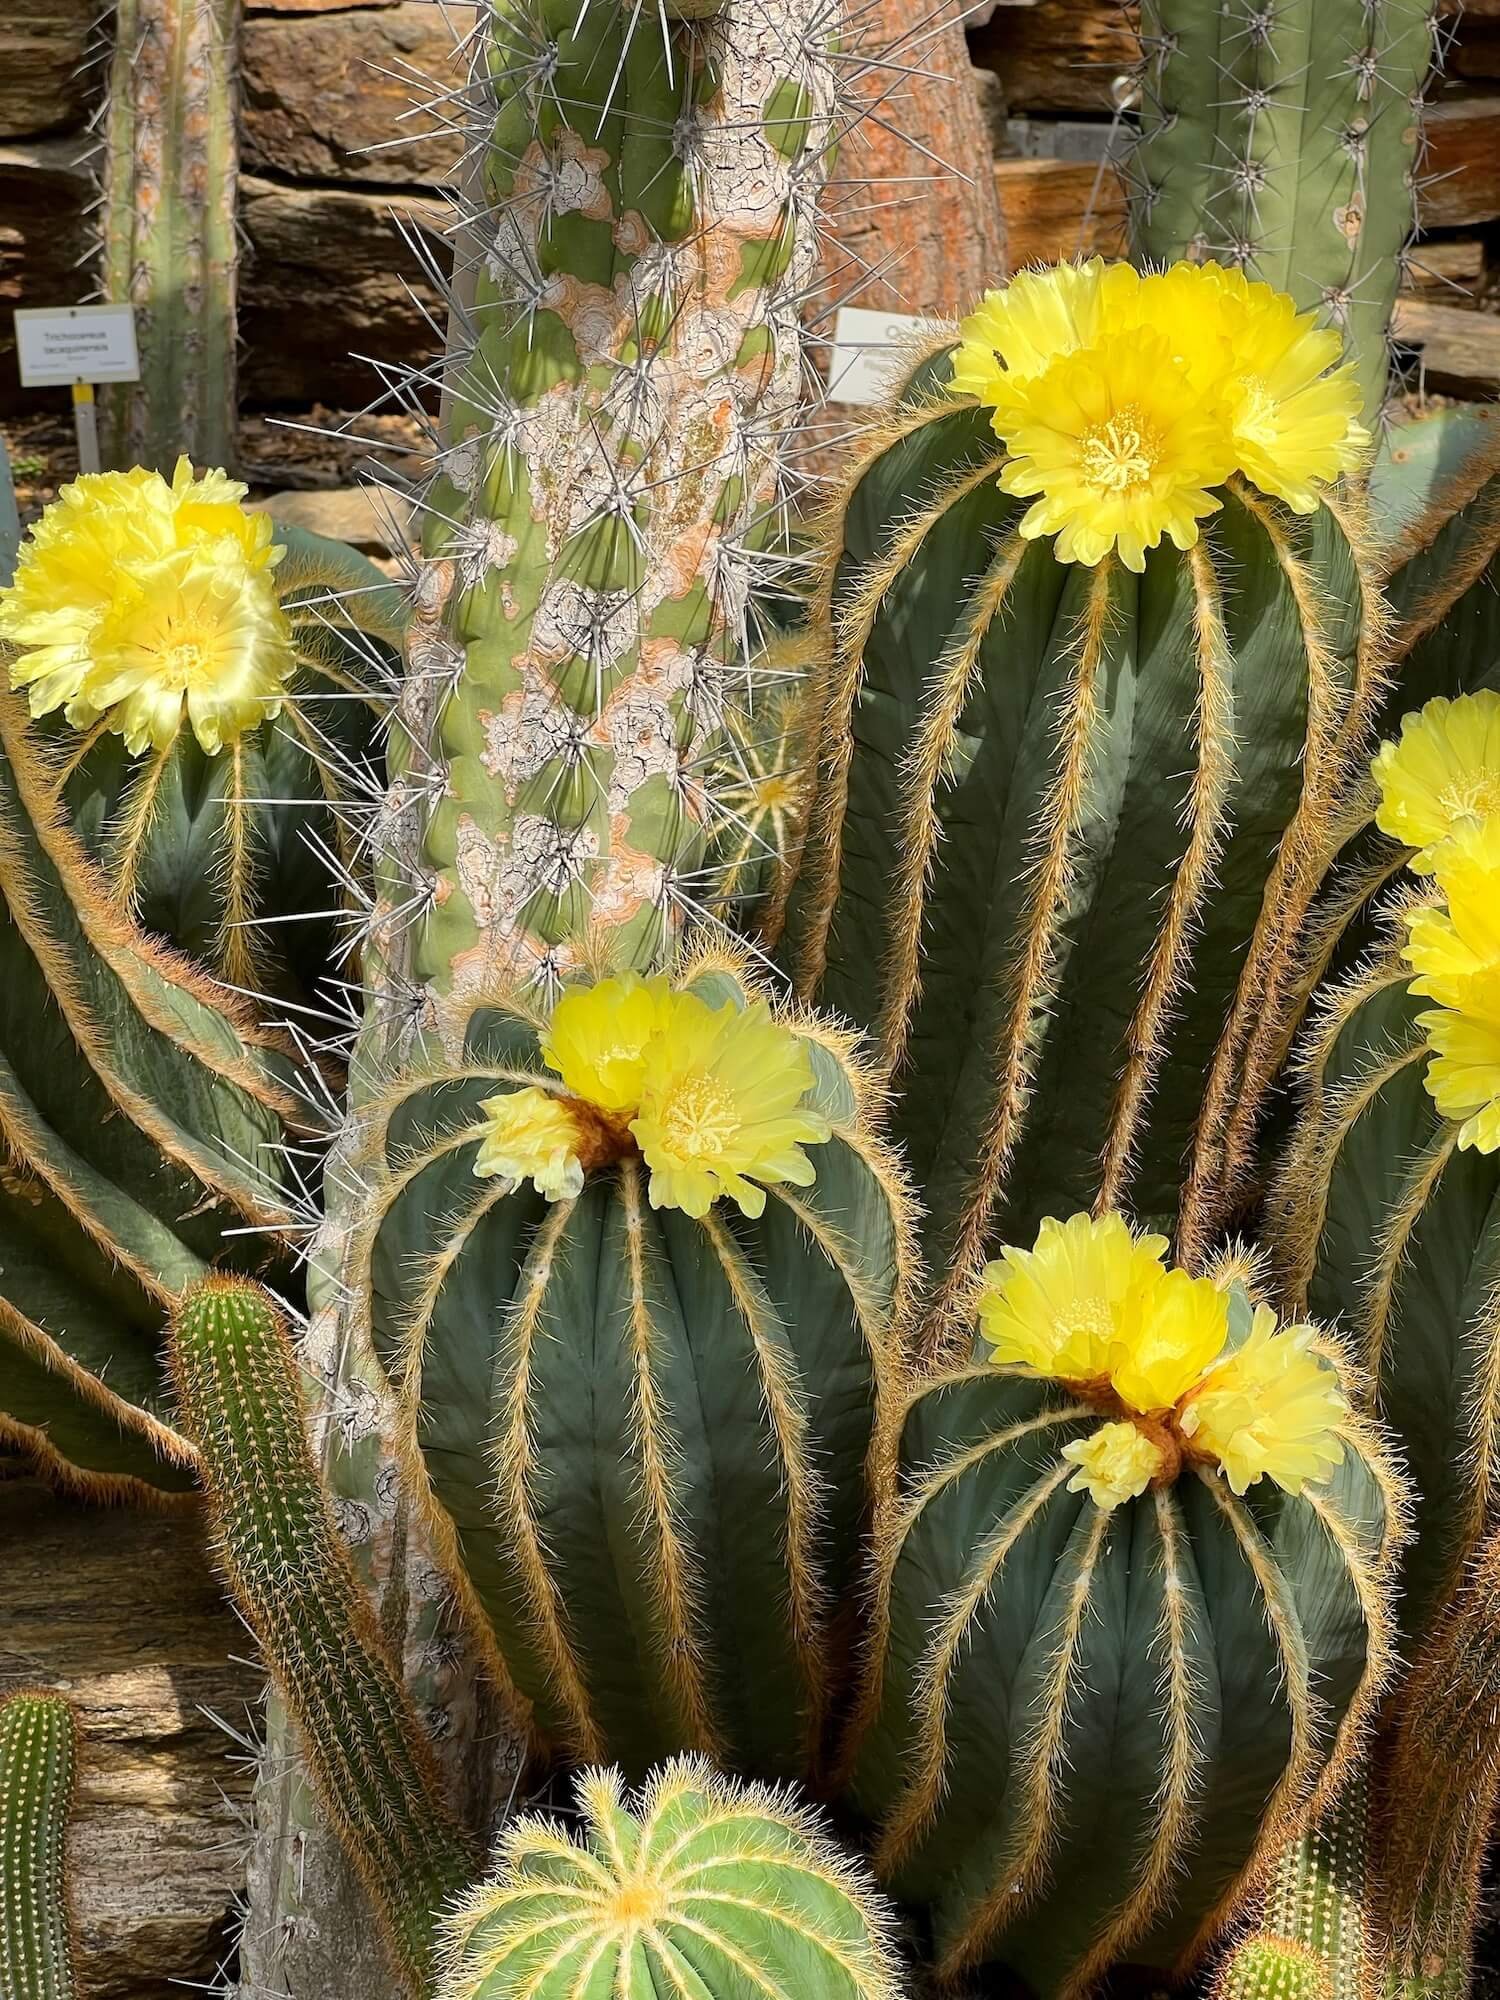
697,1887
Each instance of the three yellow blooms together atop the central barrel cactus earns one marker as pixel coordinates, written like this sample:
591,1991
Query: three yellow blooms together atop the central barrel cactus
709,1097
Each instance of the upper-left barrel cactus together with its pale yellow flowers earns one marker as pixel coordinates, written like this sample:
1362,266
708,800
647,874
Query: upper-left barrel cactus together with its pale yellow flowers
213,699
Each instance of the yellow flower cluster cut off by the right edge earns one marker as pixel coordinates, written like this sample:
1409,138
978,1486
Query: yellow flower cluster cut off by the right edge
1441,795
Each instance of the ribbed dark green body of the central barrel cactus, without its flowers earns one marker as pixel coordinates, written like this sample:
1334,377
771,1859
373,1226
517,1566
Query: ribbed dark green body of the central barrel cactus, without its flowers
643,1437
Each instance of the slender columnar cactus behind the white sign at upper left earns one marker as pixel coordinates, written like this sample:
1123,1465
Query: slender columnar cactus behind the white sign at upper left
169,233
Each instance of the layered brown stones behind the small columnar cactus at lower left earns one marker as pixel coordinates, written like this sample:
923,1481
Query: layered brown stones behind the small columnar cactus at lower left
119,1611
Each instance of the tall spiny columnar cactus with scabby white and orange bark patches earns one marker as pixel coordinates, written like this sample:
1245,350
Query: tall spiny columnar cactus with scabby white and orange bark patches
625,357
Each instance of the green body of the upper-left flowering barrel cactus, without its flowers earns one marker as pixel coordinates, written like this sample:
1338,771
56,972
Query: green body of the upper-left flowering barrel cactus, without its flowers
237,857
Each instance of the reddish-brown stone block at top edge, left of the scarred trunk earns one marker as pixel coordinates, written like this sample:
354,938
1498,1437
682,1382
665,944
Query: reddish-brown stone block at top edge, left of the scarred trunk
325,89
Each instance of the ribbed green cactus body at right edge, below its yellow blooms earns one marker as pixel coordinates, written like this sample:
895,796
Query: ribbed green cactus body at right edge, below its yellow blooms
1393,1233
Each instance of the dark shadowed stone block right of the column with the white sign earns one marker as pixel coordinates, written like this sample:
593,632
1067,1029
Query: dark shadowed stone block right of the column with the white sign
329,281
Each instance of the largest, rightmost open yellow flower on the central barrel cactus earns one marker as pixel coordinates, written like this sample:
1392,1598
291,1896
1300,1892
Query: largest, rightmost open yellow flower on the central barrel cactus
721,1107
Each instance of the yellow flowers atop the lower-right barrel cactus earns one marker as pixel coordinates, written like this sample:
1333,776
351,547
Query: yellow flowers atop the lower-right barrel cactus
1097,1307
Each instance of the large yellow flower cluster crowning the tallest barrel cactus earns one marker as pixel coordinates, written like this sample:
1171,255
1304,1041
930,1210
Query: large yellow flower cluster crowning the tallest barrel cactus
1127,399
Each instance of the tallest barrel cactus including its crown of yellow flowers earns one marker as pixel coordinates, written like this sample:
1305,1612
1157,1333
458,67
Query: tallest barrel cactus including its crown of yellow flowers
1077,759
